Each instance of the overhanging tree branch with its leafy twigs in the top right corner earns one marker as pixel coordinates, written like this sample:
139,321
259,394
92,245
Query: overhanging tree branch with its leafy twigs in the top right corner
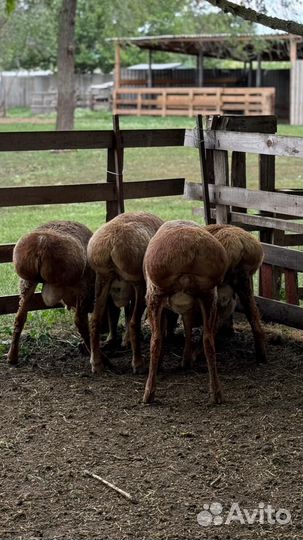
259,14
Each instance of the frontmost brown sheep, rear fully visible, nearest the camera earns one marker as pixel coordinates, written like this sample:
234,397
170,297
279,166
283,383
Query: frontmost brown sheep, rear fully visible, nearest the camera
183,264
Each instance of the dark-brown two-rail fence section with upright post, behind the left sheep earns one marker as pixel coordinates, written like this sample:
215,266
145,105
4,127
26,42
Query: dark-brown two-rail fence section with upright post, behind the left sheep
113,191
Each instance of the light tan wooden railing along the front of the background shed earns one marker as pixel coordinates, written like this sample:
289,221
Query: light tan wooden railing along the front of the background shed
192,101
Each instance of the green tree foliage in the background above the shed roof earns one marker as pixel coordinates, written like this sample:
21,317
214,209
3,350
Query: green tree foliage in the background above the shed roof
28,37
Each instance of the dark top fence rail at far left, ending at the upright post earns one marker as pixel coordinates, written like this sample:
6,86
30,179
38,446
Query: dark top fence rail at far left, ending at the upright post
55,140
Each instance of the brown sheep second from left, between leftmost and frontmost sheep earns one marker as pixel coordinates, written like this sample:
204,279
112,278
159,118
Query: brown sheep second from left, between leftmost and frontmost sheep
116,252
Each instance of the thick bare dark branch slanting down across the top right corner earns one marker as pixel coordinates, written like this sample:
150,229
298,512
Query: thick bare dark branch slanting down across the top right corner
292,27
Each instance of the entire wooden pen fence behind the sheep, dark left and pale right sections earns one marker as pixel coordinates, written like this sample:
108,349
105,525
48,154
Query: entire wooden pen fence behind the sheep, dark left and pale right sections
230,203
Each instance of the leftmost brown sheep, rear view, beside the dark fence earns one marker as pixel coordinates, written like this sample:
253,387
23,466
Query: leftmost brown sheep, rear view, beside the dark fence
54,254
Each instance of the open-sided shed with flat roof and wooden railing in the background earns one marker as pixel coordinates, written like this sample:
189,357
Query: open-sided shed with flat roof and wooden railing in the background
197,90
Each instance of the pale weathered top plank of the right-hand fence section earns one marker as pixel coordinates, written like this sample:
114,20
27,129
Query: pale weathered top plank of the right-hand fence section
253,143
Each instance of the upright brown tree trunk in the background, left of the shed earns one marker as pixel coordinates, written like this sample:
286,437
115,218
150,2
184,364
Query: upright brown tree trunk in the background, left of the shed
66,66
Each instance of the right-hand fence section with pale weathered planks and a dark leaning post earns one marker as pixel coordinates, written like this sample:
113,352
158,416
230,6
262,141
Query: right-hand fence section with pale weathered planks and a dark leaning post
276,211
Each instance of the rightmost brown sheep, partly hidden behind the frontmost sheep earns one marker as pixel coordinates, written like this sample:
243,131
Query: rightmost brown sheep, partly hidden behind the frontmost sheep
245,254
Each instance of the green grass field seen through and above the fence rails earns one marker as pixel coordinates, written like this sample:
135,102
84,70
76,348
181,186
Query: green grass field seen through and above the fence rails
86,166
